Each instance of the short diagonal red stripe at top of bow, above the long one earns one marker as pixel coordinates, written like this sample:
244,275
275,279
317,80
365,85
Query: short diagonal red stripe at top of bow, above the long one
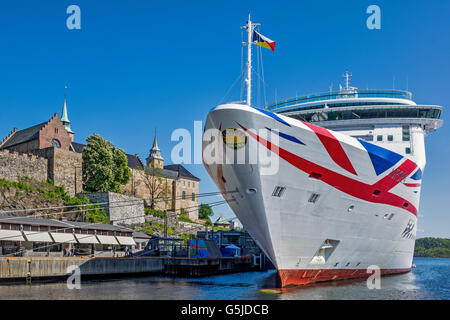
333,147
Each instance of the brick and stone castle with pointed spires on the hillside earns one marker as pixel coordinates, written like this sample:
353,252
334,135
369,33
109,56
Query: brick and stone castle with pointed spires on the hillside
51,153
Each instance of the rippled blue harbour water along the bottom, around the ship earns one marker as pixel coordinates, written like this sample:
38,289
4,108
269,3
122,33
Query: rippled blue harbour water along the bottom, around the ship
430,280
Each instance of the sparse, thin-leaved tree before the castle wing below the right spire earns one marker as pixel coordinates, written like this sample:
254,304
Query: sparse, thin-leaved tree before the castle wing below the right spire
156,183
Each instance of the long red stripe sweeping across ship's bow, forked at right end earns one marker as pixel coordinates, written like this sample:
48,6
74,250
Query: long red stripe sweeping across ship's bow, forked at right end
376,193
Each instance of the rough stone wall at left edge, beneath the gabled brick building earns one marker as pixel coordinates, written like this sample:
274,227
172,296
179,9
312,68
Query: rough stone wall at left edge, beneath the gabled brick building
14,166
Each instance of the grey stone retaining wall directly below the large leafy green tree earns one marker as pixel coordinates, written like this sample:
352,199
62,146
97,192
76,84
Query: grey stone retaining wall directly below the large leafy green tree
121,209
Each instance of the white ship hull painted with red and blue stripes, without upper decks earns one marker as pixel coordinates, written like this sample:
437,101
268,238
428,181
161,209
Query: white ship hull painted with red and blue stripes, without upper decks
357,219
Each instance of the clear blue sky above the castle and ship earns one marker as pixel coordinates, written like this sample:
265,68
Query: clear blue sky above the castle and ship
137,65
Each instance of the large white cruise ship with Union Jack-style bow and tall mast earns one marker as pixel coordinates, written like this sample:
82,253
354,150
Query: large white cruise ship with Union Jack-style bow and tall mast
342,191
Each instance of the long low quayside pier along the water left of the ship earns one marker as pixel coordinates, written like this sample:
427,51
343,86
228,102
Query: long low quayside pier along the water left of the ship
38,268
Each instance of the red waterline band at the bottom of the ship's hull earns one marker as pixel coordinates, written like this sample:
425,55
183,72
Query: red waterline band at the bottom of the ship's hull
305,276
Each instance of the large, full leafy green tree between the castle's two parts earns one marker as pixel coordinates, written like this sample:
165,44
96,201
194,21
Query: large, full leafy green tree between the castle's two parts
105,167
